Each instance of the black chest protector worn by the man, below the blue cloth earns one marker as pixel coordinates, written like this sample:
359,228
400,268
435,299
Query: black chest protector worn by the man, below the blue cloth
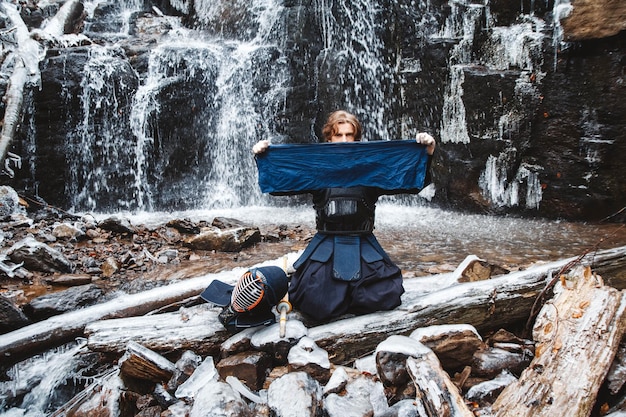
345,210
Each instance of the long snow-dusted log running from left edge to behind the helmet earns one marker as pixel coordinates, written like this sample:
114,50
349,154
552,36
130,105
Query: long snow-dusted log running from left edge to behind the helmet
59,329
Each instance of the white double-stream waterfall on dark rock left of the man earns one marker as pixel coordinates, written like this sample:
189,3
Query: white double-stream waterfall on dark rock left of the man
227,89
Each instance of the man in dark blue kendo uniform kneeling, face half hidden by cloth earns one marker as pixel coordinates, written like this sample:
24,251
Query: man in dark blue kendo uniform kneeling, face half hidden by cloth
344,269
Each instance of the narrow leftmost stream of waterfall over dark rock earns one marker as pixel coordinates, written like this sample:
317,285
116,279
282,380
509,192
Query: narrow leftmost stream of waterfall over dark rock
100,135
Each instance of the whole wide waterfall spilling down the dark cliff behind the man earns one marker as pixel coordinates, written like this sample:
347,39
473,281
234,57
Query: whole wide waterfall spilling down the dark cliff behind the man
171,101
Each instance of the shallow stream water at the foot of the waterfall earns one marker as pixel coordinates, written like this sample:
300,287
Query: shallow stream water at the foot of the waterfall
426,240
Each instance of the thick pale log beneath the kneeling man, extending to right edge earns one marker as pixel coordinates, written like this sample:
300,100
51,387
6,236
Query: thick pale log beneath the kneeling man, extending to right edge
486,305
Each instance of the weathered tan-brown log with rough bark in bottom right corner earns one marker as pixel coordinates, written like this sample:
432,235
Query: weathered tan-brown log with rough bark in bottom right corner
577,336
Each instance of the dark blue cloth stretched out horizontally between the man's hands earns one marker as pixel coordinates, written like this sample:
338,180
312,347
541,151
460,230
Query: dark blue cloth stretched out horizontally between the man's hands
388,165
